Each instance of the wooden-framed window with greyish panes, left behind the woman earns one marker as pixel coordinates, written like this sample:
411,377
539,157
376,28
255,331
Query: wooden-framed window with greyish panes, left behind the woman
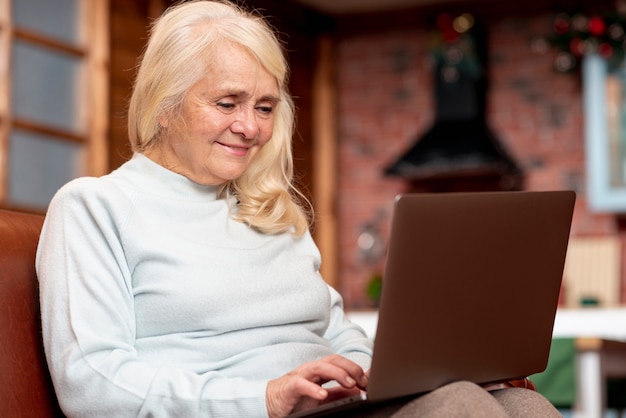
53,110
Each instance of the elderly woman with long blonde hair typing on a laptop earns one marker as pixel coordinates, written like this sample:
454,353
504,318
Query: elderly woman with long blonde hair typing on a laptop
186,282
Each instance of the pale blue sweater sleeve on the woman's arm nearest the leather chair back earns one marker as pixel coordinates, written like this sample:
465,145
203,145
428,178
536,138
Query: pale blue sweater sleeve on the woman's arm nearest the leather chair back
89,327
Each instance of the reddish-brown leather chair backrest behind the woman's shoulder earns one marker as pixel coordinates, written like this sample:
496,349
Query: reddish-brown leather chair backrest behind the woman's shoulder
25,386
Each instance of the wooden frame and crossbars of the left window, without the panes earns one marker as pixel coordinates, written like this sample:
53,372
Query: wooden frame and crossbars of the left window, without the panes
93,90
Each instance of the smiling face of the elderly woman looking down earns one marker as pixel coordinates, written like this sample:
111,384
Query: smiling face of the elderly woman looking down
227,118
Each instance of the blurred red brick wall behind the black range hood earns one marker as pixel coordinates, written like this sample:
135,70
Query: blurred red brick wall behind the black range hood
385,102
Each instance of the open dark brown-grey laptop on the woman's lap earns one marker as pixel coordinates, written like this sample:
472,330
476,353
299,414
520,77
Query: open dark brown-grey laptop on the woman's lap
470,291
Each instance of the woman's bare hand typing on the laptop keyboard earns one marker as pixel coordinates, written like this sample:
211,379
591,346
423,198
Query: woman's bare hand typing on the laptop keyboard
301,388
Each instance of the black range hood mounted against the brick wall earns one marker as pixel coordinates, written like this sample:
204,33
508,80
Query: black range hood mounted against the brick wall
460,144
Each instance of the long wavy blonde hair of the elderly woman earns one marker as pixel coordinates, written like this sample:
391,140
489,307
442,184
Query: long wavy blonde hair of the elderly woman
176,58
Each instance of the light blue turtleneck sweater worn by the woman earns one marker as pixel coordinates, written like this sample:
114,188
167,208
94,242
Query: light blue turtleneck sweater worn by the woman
156,303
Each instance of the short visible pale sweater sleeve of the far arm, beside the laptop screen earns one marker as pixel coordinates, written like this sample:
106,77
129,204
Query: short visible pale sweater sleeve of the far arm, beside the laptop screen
347,338
